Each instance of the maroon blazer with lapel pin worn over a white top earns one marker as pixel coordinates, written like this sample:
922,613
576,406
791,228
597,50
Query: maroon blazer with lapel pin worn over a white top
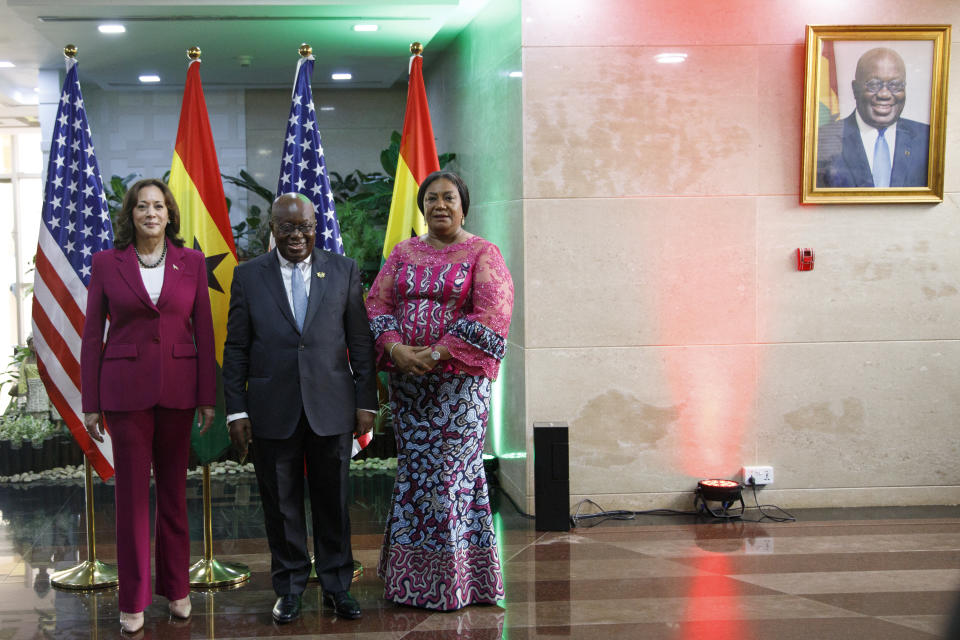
155,354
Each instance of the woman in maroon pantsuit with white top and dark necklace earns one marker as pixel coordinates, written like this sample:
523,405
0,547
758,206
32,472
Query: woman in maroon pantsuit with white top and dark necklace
153,370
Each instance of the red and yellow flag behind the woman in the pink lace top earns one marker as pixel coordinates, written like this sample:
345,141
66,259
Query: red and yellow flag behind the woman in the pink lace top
418,159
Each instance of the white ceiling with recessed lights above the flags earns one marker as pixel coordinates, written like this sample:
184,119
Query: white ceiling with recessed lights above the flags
245,43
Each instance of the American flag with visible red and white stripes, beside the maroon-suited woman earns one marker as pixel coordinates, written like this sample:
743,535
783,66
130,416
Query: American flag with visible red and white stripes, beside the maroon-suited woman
75,224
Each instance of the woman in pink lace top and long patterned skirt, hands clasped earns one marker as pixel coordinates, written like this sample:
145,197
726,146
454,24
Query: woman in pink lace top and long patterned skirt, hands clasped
440,310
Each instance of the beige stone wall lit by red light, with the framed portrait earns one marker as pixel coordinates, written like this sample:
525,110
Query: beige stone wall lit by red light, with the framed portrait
664,318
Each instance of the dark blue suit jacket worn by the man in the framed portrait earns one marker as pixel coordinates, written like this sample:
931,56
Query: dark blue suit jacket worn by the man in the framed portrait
842,160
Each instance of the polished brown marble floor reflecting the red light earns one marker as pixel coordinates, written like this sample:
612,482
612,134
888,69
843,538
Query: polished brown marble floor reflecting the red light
843,573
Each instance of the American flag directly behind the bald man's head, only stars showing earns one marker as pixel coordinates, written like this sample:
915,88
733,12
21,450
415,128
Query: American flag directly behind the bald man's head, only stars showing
303,169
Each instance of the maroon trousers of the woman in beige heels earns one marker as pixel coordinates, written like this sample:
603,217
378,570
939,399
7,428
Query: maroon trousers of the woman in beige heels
160,438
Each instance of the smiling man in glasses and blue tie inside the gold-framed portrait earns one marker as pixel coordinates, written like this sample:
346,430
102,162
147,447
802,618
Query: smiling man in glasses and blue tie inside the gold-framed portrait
856,151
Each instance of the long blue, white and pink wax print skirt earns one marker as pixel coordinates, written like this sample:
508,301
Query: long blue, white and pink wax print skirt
439,549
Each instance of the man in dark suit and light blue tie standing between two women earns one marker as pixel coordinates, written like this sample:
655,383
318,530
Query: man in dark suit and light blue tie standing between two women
299,380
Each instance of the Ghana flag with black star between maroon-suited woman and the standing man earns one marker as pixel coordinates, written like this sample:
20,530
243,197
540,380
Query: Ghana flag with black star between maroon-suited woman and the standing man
205,225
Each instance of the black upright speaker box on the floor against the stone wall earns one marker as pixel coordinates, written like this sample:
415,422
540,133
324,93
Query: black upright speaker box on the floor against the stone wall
551,475
